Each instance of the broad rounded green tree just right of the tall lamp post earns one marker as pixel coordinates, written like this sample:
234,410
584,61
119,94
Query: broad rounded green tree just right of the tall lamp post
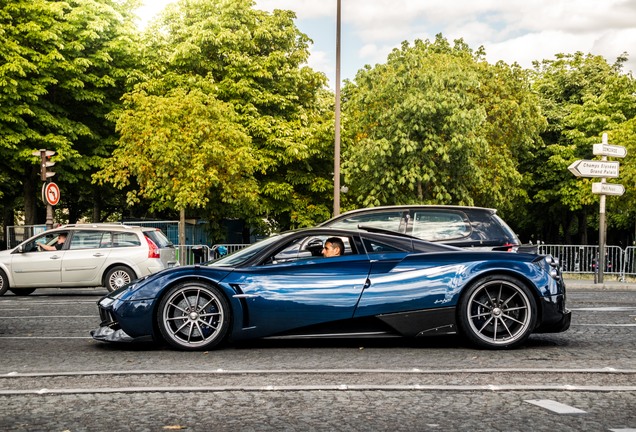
437,124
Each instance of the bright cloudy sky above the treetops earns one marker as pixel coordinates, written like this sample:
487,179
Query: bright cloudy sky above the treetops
518,31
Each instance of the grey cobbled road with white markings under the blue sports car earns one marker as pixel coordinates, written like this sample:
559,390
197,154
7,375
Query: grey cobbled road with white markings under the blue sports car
54,377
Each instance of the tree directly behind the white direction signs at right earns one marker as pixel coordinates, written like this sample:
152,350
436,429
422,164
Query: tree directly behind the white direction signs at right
582,97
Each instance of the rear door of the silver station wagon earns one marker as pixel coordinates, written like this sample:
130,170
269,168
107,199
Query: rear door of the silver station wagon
85,258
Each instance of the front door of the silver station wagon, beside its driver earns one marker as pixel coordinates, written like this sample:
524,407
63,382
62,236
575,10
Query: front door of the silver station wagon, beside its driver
31,267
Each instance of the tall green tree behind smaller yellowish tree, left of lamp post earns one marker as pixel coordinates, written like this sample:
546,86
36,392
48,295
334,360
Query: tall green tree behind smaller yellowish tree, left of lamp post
253,62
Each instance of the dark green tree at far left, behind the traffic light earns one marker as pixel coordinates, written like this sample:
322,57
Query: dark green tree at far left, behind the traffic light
64,66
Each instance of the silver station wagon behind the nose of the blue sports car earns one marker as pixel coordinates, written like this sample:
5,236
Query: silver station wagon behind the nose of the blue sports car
85,255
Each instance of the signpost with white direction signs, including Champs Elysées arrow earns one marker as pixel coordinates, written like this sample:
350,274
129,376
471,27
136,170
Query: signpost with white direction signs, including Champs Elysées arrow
602,169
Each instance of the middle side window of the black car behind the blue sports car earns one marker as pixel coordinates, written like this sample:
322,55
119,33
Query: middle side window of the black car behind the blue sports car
435,225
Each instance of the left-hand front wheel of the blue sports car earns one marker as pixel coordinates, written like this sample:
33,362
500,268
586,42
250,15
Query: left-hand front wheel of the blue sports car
194,316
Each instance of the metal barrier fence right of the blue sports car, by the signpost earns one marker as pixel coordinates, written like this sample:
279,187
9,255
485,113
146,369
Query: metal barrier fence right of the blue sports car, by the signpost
583,259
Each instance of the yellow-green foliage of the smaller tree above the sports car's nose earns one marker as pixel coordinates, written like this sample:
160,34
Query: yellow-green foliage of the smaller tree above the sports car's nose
183,148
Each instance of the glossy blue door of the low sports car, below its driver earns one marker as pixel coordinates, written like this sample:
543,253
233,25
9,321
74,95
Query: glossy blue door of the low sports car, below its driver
299,291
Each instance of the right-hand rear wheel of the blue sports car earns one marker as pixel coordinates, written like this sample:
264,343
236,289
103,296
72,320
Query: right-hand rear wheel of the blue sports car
497,312
